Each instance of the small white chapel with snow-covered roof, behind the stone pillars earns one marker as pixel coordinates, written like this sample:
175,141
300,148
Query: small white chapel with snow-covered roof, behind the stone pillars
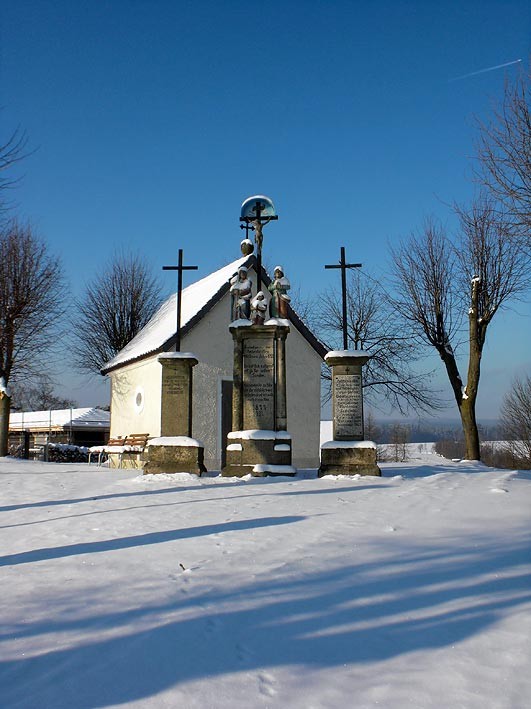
136,373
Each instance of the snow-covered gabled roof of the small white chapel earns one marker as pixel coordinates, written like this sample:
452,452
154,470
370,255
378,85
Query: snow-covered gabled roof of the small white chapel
197,299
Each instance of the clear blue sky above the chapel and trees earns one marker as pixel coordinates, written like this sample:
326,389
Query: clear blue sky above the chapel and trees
152,121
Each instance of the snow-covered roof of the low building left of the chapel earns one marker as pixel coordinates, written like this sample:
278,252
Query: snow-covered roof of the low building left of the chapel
86,418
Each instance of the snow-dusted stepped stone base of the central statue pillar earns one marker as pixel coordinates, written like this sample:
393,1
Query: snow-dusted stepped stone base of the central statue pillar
258,453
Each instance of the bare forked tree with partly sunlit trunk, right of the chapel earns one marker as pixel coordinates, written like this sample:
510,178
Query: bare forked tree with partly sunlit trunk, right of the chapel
440,284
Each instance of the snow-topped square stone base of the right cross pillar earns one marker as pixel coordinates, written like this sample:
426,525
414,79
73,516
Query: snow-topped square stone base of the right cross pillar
348,458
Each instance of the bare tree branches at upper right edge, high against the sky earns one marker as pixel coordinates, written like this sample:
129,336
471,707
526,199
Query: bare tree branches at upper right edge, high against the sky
504,152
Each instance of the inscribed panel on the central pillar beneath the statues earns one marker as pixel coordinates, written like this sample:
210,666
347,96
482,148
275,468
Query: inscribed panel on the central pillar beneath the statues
258,384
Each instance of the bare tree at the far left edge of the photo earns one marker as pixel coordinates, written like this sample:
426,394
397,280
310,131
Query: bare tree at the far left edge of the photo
31,306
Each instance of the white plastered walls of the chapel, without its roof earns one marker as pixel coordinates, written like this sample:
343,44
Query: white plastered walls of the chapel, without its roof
211,342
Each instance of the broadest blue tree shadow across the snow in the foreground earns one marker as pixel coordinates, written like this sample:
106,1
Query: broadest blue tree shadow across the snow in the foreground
408,599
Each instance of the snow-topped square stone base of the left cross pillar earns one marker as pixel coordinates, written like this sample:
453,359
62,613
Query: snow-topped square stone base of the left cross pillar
178,454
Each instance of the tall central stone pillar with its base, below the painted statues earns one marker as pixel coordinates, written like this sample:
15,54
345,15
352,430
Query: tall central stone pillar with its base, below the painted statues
259,443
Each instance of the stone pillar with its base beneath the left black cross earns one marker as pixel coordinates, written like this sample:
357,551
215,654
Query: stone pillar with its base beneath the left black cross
175,451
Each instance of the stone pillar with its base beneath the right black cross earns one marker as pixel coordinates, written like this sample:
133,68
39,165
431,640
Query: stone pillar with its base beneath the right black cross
348,453
